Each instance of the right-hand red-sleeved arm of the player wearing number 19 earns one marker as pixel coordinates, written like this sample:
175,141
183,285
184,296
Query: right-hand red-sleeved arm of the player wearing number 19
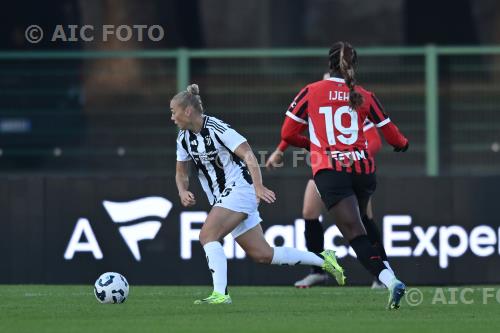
381,120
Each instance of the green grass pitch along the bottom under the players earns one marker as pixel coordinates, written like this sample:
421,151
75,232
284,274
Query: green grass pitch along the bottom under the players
34,308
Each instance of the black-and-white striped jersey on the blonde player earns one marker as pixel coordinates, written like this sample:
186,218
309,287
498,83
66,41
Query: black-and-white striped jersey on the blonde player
212,151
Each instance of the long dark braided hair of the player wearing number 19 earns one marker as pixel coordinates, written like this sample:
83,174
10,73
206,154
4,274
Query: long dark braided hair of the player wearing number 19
342,60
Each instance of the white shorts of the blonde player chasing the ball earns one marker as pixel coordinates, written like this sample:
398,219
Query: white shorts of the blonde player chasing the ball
242,199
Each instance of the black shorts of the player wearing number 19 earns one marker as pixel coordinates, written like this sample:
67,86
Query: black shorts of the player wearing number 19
333,186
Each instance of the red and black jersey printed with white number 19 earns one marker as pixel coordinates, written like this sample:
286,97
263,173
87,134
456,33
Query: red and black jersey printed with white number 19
336,137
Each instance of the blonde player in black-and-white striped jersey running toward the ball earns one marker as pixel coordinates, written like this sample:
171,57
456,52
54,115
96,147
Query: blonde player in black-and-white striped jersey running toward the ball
230,176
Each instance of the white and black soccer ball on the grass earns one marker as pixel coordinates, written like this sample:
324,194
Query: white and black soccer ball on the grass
111,287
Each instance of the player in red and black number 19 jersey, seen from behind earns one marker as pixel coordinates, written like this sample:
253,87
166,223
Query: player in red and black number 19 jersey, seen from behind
334,111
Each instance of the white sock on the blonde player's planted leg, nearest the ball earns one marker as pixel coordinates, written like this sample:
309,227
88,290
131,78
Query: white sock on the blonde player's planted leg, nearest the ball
217,263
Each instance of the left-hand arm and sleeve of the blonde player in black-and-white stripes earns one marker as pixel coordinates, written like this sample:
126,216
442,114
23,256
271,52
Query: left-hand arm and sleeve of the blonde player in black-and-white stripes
182,174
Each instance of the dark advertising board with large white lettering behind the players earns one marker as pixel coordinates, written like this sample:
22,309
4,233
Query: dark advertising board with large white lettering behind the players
450,219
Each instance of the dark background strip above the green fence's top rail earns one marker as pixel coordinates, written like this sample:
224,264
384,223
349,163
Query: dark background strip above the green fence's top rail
263,23
